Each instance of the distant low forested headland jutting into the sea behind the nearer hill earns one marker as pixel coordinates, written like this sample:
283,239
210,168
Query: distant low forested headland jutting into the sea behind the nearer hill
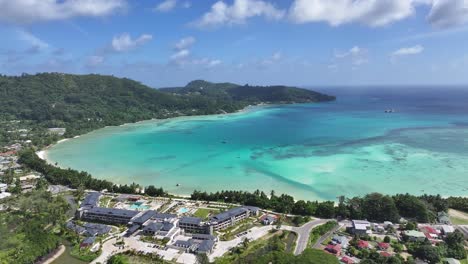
250,94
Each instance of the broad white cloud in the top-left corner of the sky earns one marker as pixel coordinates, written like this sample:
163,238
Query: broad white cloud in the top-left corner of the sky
30,11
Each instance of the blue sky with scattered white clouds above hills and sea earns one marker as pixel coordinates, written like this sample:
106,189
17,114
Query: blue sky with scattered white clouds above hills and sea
292,42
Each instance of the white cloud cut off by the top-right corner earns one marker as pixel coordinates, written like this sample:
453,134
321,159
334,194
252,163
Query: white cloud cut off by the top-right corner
448,13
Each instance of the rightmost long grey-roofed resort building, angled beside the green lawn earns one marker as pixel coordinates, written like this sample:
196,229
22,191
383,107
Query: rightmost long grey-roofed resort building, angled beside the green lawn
231,217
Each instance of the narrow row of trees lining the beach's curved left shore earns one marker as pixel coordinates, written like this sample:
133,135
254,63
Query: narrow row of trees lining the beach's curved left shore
76,179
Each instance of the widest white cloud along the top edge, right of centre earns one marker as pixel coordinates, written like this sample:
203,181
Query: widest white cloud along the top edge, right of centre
337,12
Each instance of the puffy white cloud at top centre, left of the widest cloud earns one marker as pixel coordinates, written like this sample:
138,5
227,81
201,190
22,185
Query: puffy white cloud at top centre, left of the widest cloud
237,13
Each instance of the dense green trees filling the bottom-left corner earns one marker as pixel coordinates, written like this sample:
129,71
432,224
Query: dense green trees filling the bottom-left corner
30,227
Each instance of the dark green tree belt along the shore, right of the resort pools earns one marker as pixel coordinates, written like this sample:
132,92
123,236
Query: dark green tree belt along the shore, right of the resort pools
375,206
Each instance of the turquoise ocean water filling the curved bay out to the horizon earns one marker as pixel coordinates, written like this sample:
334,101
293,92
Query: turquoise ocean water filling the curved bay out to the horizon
310,151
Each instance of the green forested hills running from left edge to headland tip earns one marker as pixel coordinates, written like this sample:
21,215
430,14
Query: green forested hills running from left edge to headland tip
82,103
